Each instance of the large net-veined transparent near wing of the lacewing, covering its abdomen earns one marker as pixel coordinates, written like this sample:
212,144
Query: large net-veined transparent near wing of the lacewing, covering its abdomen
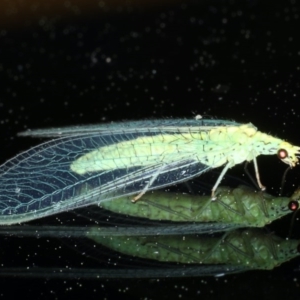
39,182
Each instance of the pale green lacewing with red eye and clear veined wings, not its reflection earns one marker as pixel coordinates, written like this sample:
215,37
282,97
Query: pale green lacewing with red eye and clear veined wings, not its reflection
121,159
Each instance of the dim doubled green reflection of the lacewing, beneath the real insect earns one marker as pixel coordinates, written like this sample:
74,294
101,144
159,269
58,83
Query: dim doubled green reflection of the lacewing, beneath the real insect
180,247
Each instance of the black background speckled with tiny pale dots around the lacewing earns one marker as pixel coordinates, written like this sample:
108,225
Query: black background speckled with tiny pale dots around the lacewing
73,63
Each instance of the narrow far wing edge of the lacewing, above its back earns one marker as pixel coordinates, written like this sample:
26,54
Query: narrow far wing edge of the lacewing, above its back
148,126
